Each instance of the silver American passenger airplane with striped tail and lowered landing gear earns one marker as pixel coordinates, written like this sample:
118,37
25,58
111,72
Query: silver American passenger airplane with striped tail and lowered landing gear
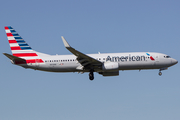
106,64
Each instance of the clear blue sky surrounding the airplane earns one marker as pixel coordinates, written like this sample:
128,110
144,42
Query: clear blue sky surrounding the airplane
91,27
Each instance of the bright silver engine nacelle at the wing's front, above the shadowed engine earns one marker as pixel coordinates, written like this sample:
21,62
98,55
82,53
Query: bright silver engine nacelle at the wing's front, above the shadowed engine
110,66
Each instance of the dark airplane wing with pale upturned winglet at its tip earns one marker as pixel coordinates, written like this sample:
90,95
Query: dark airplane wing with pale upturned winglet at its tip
86,61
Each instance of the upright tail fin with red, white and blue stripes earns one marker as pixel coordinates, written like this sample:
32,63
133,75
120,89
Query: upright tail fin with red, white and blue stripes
19,47
